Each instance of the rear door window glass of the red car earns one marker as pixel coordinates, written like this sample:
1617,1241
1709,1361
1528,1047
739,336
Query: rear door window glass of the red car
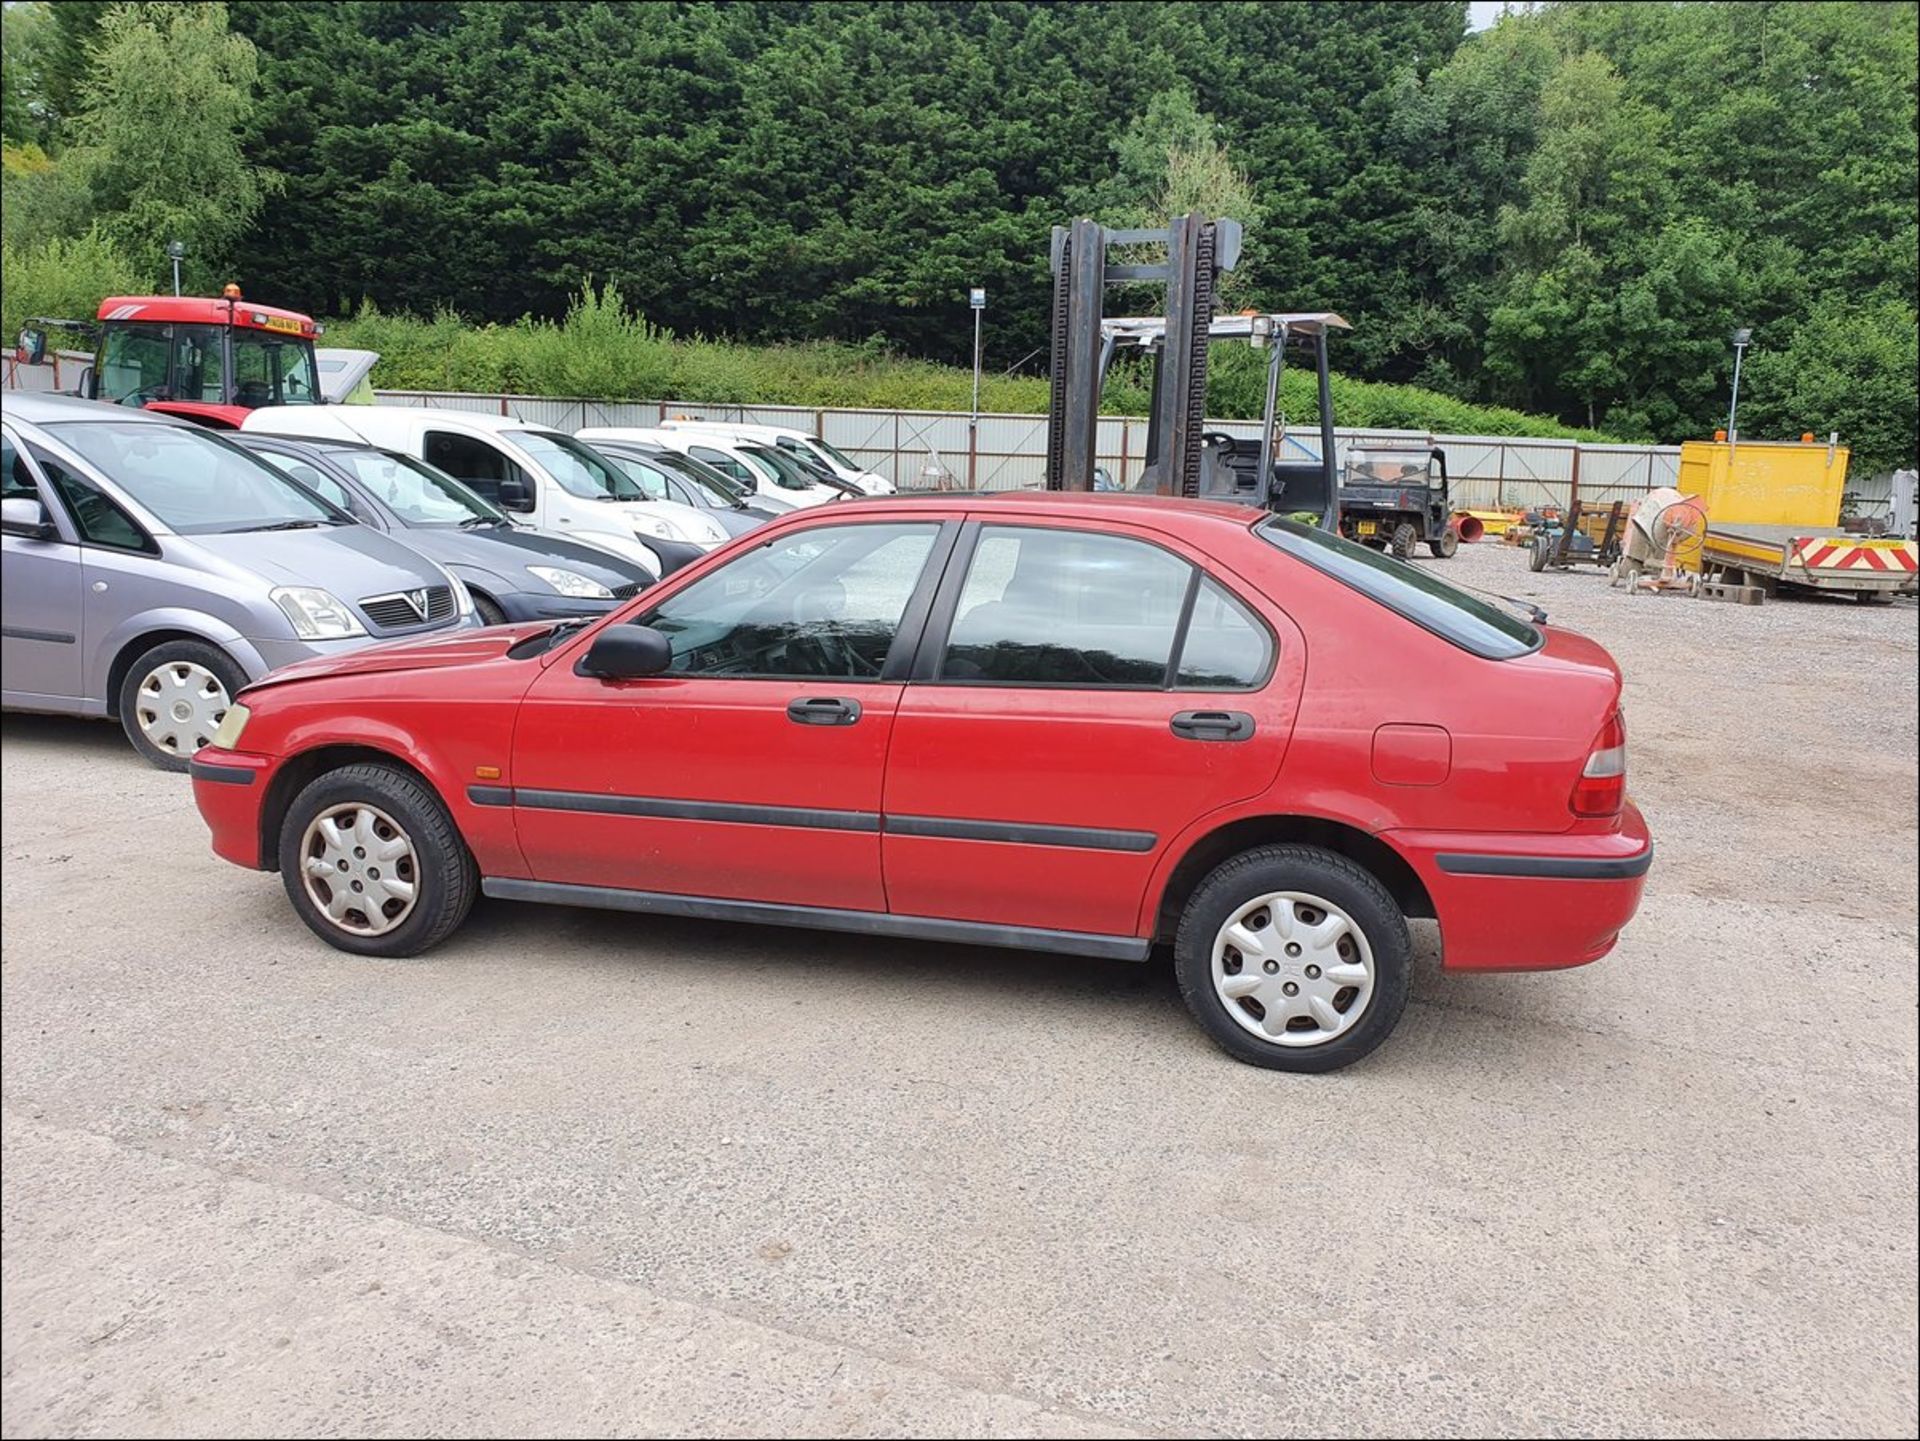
1088,611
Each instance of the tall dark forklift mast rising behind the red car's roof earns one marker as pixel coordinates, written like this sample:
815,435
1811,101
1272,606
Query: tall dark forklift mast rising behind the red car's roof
1199,252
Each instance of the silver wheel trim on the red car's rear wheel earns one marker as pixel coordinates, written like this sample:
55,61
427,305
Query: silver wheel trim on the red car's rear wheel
1293,970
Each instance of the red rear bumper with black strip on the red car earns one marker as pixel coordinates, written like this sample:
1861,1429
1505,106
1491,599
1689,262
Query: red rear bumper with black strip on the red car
1531,903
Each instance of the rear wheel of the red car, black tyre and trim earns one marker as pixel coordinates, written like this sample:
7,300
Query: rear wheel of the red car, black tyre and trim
1293,958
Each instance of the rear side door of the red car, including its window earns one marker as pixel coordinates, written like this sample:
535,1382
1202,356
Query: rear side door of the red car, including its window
1090,699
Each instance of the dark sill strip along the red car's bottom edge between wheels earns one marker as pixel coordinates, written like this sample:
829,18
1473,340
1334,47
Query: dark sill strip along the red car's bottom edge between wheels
821,918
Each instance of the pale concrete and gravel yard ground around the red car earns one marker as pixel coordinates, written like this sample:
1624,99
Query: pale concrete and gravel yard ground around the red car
585,1173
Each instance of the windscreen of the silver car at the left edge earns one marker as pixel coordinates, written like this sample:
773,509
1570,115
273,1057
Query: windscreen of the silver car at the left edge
193,481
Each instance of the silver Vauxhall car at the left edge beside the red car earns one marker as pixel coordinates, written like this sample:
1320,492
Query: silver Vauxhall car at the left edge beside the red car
153,569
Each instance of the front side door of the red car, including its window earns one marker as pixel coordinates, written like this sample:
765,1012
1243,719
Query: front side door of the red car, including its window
752,770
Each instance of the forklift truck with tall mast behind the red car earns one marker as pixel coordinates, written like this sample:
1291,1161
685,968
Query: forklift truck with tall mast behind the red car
1182,456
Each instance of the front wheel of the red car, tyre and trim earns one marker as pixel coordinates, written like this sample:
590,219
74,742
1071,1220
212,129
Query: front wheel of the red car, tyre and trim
373,862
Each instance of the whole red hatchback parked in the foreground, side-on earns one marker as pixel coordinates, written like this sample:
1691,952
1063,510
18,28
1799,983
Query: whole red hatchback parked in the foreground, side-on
1063,722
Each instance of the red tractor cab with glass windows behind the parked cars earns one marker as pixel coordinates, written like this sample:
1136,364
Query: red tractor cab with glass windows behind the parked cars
210,362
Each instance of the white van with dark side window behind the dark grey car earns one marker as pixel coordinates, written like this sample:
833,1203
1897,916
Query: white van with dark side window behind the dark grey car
542,477
